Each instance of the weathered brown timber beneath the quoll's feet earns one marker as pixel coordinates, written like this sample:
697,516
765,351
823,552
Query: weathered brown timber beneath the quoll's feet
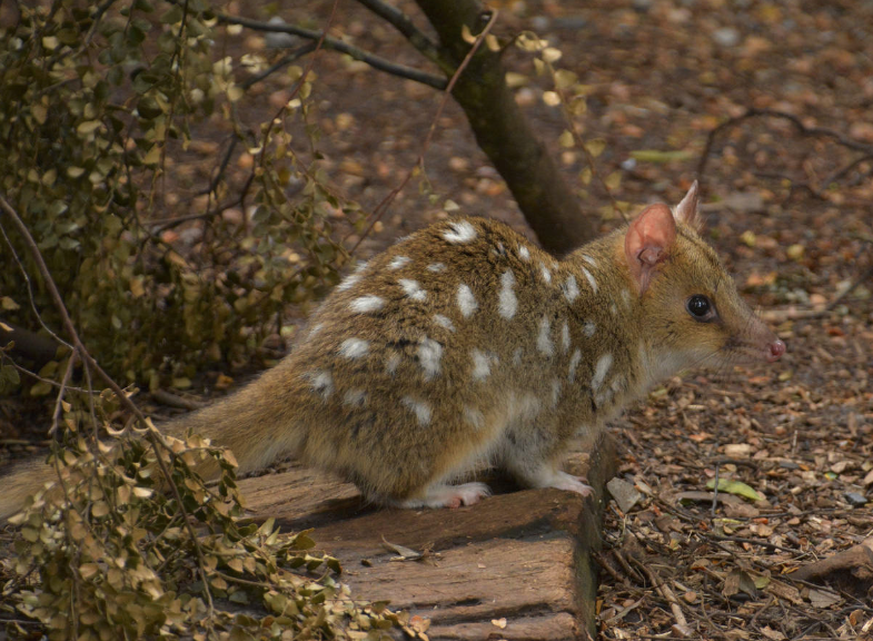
521,555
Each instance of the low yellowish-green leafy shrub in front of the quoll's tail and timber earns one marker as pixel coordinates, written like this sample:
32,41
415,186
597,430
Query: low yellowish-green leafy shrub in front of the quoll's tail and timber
109,552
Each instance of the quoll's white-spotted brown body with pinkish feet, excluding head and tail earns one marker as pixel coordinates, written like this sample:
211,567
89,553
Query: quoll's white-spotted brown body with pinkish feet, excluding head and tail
442,354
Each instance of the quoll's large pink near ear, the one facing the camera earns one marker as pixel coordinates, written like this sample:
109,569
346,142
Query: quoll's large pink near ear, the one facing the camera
647,242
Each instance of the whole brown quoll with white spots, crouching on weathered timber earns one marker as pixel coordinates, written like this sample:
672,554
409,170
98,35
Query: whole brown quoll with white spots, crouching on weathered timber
464,344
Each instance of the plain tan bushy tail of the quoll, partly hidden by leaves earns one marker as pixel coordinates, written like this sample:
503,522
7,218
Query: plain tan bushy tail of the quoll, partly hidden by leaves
254,423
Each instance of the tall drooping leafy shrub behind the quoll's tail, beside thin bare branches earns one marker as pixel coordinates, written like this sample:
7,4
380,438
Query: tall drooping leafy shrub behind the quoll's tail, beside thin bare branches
98,102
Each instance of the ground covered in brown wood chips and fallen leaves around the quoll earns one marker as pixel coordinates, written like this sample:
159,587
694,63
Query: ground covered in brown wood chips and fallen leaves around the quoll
794,228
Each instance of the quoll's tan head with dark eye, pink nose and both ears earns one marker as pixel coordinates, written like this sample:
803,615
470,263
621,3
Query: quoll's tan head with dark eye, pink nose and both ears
692,312
